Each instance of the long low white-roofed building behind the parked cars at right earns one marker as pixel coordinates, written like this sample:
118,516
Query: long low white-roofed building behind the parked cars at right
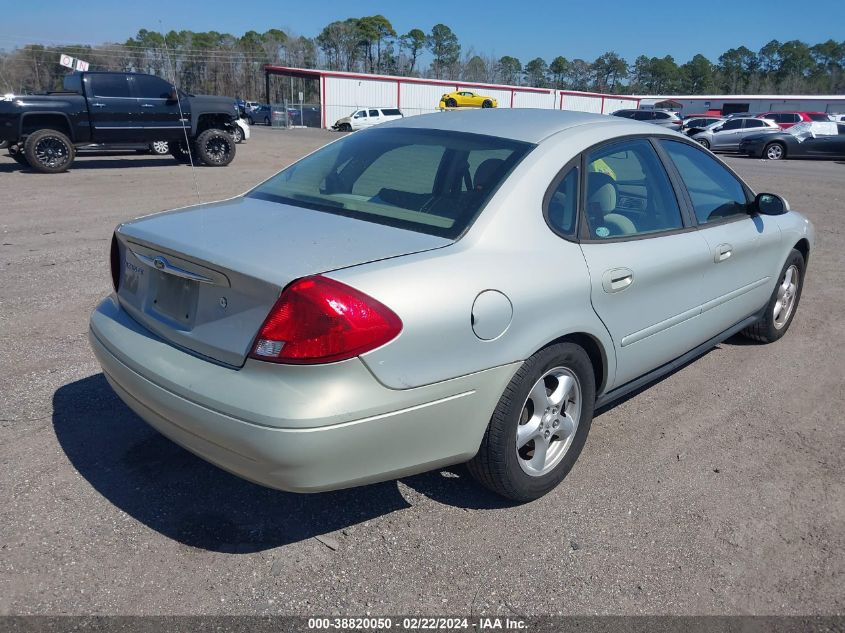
754,104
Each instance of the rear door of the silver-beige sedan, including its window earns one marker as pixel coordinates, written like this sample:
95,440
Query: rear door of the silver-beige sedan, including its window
645,260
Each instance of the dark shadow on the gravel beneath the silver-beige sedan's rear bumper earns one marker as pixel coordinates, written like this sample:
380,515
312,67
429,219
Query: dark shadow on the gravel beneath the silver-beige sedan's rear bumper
187,499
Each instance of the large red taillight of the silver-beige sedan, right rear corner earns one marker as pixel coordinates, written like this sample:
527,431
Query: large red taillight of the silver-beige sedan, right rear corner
320,320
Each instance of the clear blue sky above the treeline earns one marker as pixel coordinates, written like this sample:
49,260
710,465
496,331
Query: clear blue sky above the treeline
524,29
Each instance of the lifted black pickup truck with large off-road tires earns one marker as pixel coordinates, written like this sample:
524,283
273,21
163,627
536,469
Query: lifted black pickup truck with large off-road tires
43,131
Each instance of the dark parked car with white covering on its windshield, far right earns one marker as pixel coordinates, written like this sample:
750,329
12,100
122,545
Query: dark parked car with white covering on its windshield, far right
804,140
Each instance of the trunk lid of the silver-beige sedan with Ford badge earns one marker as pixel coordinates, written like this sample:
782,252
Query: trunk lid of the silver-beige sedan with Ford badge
204,278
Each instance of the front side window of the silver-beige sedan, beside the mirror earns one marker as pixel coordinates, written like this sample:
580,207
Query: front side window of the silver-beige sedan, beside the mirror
715,192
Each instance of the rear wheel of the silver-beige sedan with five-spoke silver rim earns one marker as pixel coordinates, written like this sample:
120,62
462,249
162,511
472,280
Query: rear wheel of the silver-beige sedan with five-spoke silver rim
539,426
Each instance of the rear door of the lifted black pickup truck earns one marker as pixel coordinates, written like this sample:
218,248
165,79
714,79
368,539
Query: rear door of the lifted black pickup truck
113,109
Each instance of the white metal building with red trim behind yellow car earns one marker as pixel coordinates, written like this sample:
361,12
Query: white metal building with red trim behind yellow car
341,92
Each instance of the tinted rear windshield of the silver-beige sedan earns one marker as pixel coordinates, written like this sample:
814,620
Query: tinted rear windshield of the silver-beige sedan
428,181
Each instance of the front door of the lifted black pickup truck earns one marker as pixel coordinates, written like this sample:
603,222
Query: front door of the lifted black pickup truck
165,117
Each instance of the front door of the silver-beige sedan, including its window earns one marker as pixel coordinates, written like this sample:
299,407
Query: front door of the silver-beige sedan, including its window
742,249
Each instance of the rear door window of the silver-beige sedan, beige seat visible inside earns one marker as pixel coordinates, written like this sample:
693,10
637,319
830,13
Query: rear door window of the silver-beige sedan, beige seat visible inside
628,192
